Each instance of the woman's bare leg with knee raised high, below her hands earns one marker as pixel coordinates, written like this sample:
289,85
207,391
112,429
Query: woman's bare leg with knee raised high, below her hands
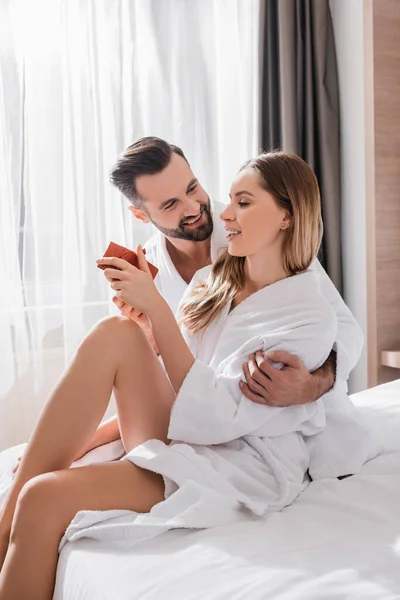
116,354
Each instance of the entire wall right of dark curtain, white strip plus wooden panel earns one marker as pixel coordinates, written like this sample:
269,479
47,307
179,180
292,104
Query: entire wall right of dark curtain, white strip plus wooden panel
368,52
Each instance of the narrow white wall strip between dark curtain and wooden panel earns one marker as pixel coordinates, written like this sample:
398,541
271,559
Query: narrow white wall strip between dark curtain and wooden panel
348,25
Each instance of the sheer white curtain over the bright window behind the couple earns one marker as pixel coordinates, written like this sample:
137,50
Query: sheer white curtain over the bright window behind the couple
79,81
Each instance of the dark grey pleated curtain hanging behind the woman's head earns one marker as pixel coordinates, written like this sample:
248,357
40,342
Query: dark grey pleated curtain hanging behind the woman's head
300,103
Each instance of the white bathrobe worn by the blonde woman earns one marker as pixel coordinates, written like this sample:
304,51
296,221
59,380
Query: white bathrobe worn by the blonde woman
231,458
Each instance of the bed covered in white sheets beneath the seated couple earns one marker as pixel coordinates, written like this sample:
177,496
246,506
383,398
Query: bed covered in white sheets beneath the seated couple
339,540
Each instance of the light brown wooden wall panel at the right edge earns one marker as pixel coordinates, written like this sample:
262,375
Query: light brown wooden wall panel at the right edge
386,26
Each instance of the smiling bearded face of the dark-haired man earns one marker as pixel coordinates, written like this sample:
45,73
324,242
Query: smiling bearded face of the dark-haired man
175,202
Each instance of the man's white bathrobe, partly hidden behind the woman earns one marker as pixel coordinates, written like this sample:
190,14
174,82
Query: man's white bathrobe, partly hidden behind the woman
342,418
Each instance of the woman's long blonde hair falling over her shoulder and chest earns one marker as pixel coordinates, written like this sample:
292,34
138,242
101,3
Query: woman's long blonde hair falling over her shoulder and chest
294,187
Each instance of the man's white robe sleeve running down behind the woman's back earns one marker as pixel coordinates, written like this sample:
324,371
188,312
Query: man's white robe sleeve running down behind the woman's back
349,340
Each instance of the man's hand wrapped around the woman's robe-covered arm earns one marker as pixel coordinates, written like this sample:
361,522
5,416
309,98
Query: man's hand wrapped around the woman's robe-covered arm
291,385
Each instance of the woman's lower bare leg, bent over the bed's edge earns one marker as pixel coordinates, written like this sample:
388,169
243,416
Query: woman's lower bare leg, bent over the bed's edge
47,505
